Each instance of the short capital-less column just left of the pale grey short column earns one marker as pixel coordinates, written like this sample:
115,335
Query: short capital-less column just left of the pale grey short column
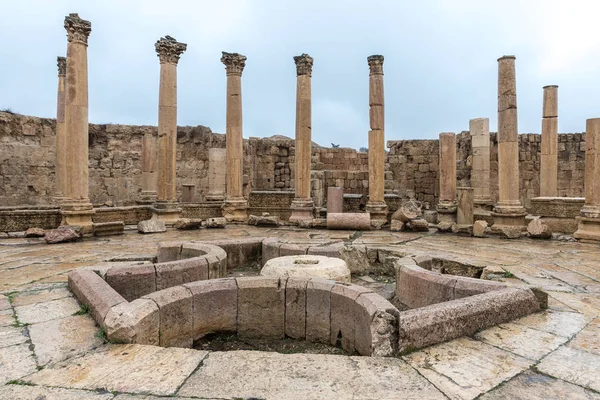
446,207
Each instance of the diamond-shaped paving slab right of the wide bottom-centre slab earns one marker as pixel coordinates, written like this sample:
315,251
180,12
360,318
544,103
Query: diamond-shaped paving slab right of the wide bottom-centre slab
465,368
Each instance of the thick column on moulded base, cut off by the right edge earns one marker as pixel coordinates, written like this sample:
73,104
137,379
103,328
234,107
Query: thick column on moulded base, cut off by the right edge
589,221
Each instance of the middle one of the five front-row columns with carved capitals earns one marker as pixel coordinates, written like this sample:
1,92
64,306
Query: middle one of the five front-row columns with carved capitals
235,206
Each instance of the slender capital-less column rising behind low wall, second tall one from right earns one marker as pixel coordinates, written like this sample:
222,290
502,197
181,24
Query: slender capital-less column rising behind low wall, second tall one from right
549,156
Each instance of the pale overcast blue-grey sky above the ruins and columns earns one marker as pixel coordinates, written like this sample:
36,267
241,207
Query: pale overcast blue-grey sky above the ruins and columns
440,61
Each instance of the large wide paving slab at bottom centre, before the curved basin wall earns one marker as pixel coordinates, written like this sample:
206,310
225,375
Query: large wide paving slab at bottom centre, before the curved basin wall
265,375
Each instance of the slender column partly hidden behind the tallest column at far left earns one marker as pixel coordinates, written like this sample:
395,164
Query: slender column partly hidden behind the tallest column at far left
61,139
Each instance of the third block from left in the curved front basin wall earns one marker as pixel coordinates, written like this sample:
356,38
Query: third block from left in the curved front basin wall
215,306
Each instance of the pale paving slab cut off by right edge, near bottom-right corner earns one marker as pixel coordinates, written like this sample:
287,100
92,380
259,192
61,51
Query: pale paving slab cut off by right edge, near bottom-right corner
573,365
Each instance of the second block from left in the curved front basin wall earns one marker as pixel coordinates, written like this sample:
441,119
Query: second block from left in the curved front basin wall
176,316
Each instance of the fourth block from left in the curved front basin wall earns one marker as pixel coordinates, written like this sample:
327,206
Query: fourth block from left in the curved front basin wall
261,307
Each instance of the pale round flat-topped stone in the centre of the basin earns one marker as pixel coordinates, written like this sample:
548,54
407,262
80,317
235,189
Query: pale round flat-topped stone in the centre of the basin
307,266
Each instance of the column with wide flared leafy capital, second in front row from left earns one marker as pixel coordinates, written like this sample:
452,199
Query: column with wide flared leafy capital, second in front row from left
166,207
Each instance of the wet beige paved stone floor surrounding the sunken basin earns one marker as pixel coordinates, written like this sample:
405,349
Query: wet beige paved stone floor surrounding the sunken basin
50,350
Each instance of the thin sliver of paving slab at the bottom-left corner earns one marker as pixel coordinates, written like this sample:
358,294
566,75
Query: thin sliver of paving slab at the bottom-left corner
22,392
